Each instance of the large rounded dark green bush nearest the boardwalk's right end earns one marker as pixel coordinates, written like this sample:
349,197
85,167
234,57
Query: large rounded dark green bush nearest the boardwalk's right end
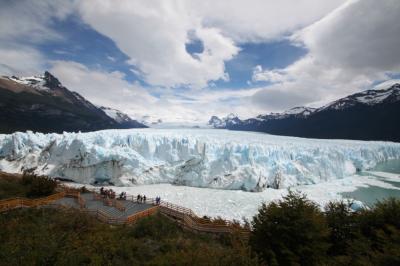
292,231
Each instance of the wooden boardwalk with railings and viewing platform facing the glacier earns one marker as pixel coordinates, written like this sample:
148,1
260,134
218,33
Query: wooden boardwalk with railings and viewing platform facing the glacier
128,211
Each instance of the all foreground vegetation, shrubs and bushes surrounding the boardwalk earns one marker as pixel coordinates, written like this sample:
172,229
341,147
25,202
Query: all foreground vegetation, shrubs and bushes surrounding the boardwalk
292,231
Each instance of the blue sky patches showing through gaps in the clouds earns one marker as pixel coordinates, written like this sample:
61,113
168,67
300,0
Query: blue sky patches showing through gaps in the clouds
85,45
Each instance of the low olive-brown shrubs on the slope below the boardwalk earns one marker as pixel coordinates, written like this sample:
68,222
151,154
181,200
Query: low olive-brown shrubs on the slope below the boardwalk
55,237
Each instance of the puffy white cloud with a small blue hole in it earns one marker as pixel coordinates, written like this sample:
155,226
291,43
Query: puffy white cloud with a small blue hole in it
154,33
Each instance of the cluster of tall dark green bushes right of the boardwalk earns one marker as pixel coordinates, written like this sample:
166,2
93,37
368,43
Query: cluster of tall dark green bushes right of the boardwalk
293,231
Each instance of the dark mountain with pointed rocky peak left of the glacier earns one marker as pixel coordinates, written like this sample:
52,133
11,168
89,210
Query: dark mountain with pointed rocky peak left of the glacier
43,104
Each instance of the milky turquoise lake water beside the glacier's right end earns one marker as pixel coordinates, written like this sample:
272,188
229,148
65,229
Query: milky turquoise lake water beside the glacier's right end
369,195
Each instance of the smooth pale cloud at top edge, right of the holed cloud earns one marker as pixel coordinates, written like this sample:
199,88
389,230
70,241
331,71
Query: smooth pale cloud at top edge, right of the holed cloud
261,20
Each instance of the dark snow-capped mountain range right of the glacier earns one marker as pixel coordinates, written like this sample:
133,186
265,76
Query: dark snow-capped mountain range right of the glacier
368,115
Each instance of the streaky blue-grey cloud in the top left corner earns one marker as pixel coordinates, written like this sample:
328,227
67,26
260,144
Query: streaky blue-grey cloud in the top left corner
23,24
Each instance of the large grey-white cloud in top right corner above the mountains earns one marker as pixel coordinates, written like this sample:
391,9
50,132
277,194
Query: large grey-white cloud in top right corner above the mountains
349,49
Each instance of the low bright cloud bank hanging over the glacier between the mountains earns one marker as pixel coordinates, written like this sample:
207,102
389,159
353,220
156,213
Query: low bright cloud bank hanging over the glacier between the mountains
112,90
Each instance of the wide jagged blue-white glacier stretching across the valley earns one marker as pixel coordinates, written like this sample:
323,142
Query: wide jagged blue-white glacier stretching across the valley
208,158
